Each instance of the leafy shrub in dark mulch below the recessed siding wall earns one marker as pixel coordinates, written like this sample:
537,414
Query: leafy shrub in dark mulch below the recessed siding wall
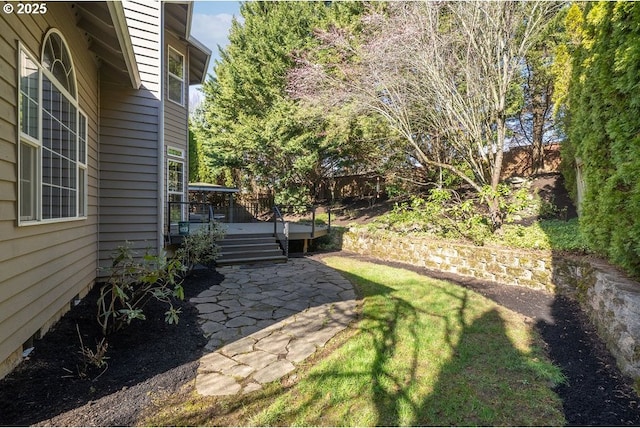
132,283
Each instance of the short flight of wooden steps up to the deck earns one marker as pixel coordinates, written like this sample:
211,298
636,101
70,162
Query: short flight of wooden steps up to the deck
250,248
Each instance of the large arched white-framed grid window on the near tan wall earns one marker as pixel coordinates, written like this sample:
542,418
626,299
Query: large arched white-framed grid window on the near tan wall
52,157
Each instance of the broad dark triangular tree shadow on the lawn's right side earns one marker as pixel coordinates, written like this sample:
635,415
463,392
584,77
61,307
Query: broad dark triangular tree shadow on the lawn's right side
489,381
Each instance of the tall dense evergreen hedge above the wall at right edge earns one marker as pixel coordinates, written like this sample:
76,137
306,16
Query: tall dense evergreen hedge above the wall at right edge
604,118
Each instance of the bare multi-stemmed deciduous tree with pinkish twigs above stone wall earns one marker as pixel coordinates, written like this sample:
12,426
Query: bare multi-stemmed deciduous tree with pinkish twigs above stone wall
440,73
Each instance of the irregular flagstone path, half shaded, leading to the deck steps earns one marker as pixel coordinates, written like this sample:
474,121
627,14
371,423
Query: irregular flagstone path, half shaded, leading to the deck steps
262,320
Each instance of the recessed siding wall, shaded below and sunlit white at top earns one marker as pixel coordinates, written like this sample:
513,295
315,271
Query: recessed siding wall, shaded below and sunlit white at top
131,143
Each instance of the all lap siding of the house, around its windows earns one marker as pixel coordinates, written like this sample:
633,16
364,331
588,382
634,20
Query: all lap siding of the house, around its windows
45,265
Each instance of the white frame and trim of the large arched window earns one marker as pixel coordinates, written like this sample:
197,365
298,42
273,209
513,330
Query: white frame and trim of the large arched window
80,165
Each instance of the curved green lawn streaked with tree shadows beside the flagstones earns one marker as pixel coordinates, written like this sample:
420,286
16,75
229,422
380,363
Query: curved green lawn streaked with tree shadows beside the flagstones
425,352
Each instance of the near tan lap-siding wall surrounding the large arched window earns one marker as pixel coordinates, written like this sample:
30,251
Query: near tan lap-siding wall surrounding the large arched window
43,266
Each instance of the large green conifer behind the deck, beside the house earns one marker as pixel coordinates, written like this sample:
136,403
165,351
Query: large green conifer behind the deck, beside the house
252,132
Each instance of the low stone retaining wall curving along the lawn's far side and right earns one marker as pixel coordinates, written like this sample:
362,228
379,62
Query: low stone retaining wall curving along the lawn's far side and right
611,300
